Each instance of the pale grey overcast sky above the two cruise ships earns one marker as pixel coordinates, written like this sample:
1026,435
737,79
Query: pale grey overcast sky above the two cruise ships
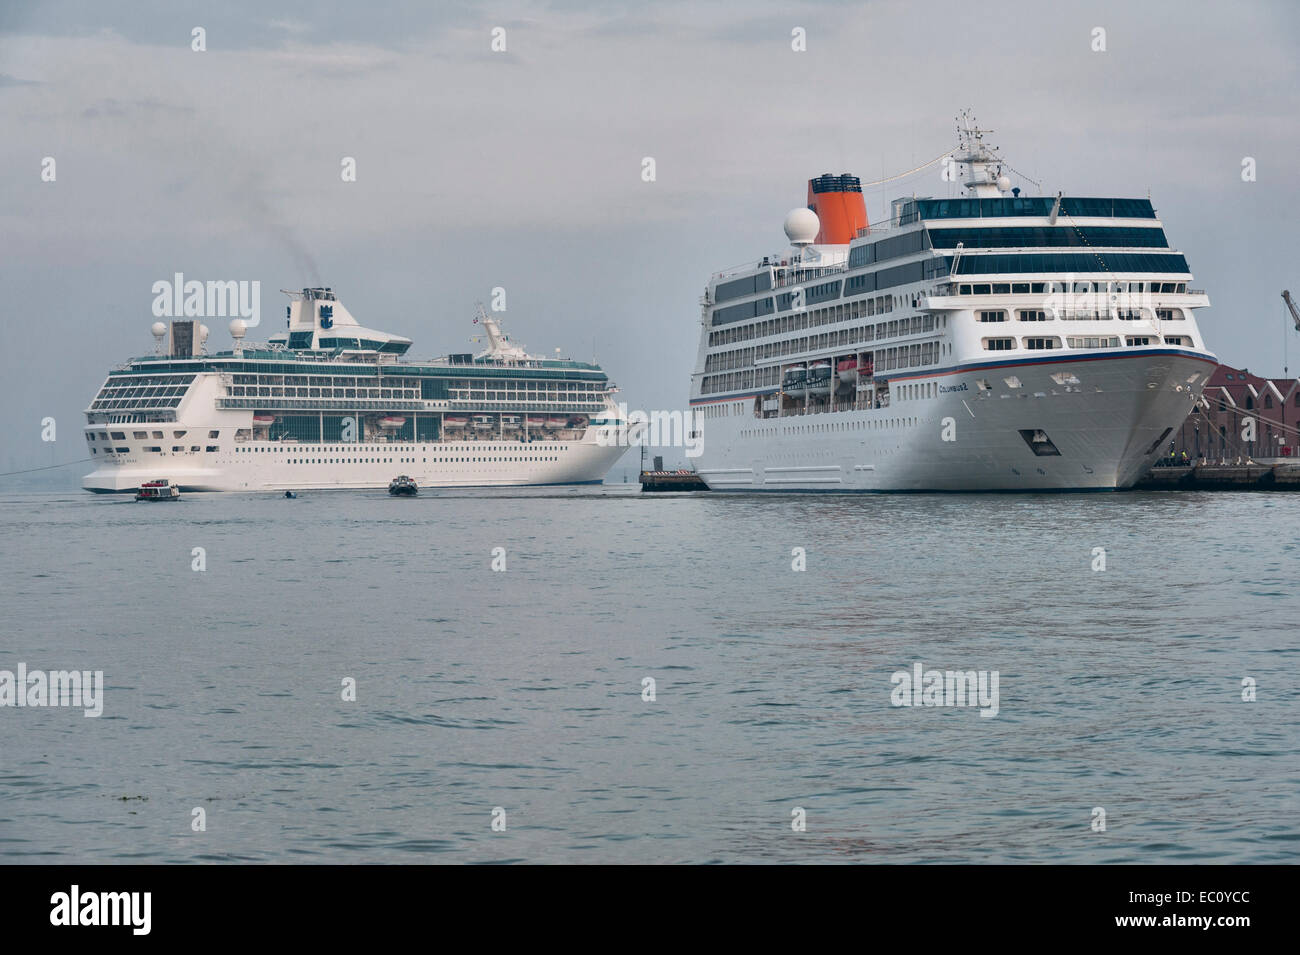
523,168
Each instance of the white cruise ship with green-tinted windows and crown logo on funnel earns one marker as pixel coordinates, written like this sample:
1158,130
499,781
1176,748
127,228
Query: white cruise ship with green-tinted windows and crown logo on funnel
332,405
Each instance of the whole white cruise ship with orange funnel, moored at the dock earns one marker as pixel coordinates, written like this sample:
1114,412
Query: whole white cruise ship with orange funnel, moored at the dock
986,342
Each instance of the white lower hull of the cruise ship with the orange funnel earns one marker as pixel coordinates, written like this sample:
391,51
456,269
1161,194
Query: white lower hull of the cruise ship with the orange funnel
1107,418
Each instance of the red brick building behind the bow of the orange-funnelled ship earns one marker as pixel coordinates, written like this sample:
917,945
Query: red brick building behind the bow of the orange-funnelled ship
1219,428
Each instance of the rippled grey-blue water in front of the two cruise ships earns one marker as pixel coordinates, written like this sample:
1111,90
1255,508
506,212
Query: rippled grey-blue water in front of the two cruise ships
476,689
